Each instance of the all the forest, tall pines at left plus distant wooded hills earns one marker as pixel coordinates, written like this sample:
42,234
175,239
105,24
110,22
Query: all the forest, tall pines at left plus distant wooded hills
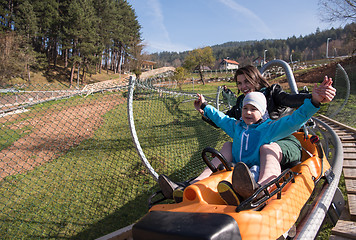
89,36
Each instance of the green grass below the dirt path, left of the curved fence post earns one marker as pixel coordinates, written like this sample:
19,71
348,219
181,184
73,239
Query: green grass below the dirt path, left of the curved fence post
62,198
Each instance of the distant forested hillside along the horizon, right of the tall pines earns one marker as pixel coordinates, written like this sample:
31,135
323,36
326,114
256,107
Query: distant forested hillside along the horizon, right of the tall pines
302,48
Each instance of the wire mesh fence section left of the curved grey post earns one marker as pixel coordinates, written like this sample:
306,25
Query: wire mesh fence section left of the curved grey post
67,165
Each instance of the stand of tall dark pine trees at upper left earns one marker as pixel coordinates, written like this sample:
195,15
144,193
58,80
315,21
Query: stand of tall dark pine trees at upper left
83,35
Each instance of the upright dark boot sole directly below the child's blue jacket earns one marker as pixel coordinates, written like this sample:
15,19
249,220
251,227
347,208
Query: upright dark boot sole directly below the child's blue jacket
243,181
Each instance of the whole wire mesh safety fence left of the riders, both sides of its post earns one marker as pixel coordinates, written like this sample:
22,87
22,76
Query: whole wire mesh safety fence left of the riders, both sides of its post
69,168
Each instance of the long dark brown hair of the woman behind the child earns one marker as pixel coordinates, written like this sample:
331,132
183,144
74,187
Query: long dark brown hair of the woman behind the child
253,76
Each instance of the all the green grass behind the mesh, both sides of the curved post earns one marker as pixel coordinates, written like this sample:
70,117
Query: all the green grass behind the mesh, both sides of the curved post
101,185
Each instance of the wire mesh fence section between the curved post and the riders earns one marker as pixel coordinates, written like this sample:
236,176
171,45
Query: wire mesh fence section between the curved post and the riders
170,131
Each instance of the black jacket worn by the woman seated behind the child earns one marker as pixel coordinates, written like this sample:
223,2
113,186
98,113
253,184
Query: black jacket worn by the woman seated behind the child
279,103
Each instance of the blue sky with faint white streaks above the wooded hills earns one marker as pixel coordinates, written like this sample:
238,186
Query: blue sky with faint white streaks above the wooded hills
181,25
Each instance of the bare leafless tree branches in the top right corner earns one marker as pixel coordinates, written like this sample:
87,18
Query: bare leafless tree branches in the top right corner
338,10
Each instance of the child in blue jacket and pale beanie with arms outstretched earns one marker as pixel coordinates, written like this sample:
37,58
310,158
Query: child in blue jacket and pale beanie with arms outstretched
252,132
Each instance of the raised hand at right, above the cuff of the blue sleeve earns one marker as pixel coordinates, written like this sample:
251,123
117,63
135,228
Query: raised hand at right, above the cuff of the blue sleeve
325,92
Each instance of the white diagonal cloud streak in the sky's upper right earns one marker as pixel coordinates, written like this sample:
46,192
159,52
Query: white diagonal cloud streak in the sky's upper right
258,24
